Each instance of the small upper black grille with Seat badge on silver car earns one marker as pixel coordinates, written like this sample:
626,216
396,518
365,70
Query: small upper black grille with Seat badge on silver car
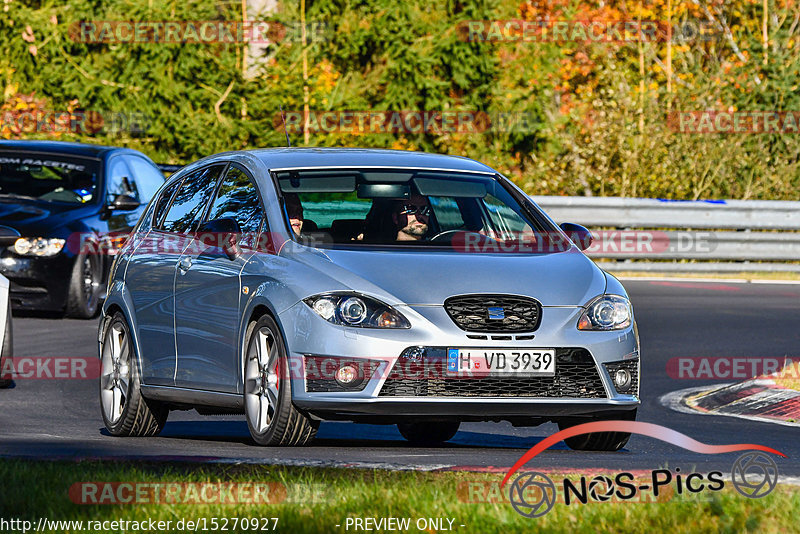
494,313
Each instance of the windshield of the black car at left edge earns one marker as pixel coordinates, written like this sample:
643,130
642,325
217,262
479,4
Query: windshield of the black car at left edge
52,177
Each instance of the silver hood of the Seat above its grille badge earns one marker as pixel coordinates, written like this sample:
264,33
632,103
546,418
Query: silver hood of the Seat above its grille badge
428,278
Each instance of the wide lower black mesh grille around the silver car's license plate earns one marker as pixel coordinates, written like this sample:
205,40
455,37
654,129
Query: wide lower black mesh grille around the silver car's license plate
576,377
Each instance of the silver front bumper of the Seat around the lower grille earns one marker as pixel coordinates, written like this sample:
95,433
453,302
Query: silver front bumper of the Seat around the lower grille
431,327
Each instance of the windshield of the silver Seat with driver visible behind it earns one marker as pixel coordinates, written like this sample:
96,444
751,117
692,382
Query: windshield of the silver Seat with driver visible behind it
359,207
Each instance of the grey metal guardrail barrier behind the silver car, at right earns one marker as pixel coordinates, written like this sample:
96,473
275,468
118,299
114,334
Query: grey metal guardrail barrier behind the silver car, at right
736,235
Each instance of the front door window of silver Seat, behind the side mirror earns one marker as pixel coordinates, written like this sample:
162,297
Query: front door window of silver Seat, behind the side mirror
238,198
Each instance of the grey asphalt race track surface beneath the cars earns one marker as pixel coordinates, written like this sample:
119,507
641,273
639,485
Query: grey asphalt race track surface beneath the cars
61,418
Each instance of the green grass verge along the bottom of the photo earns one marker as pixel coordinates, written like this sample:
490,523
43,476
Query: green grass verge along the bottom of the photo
318,499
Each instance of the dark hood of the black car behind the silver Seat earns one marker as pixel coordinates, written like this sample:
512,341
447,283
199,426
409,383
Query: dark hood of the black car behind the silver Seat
32,217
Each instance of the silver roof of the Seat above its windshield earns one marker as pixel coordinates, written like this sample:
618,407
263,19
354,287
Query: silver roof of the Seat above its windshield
287,158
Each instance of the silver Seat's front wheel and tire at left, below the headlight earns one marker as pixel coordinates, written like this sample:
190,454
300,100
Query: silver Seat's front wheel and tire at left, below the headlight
271,417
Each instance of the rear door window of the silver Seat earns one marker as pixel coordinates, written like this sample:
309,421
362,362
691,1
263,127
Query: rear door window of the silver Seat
190,201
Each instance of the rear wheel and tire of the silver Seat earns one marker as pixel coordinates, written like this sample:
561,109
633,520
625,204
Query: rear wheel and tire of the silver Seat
125,411
